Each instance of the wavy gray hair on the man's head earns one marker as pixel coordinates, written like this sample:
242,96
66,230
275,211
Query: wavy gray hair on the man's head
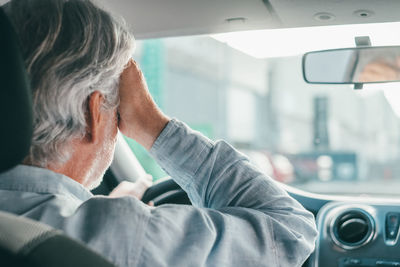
71,49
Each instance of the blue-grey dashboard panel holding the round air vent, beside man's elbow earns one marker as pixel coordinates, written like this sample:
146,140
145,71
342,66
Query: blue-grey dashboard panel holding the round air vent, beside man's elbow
357,234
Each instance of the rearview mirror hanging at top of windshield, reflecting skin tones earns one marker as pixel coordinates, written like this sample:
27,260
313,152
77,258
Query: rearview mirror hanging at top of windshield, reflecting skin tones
353,65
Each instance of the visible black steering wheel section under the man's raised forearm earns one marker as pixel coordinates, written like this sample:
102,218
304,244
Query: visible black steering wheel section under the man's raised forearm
165,192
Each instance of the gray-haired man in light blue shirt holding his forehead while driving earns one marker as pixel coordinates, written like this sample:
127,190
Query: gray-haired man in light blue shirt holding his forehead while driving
75,54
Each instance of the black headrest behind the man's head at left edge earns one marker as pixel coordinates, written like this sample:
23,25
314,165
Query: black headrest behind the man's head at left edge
15,99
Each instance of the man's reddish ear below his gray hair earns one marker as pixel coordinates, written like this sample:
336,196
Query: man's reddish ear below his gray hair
94,116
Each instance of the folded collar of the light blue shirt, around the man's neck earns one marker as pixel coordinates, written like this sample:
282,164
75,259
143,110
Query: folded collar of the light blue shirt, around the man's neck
40,180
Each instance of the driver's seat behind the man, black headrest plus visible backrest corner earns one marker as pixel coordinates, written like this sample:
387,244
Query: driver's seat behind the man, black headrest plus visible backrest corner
24,242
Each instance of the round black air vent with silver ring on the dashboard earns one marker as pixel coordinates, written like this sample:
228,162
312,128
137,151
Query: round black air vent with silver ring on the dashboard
353,229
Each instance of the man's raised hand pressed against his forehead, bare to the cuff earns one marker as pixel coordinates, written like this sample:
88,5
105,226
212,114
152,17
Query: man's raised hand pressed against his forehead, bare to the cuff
140,118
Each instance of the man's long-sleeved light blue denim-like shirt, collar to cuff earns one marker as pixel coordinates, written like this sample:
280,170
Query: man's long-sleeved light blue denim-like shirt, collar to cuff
239,217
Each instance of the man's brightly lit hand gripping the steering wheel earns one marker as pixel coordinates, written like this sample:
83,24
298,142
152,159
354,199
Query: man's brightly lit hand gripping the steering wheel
136,189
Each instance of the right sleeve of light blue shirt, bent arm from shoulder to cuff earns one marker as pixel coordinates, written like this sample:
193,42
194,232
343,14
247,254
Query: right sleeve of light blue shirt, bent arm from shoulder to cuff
239,215
